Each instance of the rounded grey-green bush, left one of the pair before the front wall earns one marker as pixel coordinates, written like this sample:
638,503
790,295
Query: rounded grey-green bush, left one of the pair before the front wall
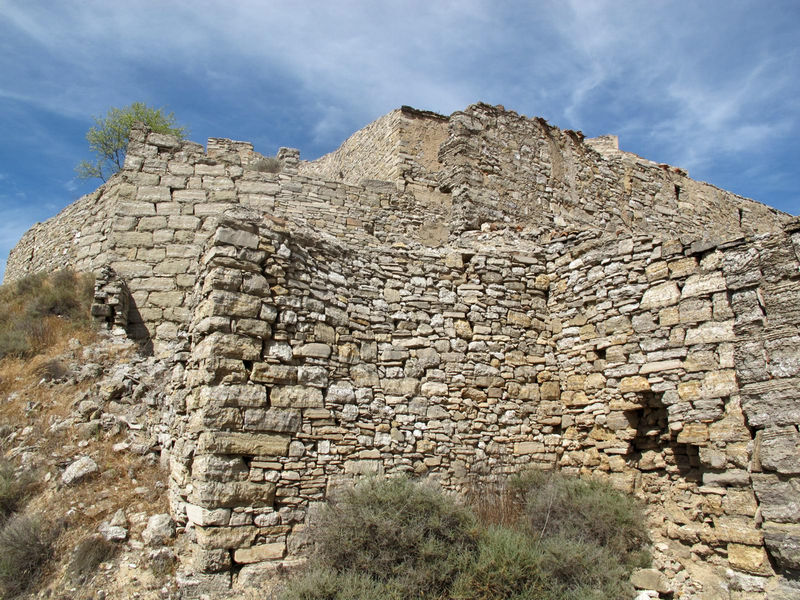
398,533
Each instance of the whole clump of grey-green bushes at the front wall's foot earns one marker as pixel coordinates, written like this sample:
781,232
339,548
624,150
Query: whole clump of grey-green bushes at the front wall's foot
396,538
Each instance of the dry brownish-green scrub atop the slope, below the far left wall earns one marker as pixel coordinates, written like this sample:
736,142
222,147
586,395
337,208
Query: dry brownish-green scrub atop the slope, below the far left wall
39,310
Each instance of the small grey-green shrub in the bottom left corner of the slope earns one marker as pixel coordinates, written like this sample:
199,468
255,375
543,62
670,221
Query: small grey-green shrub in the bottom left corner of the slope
25,547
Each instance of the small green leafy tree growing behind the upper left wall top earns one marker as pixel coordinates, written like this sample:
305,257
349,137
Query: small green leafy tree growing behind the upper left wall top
109,137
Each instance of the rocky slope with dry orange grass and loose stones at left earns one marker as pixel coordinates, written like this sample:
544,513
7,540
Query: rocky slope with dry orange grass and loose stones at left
77,420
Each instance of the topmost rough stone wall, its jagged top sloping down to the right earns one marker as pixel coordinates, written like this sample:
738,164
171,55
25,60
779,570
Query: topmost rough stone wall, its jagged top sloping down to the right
507,168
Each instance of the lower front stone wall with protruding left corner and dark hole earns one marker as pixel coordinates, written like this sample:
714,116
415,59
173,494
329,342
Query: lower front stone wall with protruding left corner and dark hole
313,363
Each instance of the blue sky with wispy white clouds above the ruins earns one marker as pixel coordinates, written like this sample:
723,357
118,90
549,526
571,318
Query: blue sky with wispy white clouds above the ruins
710,86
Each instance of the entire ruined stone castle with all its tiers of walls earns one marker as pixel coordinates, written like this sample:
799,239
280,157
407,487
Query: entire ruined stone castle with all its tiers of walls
460,298
